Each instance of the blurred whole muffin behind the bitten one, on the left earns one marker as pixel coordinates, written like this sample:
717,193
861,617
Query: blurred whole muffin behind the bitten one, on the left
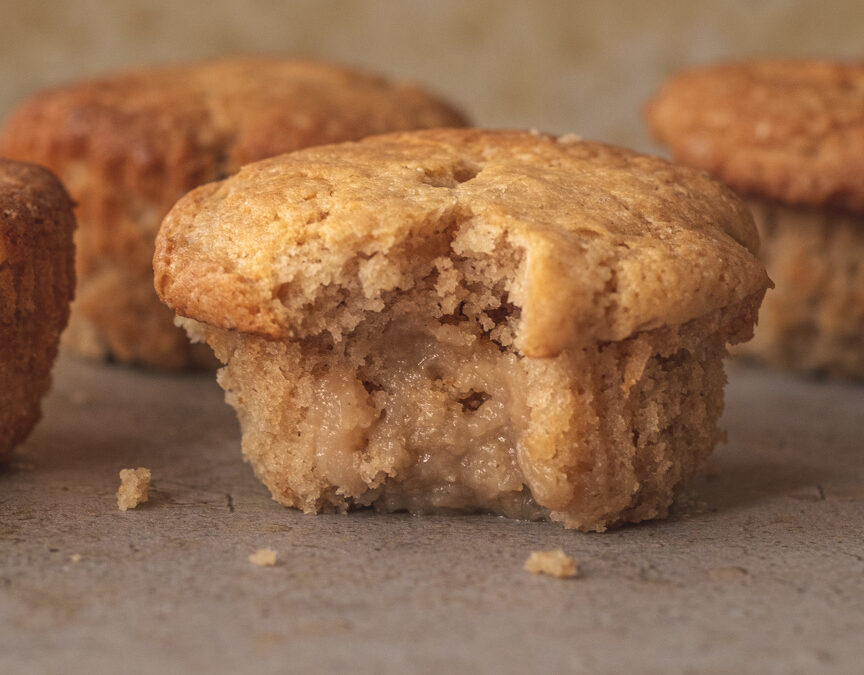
128,146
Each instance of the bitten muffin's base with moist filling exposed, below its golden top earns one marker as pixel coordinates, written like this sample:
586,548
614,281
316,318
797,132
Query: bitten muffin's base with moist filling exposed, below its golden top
427,415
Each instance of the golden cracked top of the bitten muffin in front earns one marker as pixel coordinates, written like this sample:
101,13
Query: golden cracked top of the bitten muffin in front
600,242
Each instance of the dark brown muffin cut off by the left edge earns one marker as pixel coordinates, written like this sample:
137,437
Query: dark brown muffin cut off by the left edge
37,280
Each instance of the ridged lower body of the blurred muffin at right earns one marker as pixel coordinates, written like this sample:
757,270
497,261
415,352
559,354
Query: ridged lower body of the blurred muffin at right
814,320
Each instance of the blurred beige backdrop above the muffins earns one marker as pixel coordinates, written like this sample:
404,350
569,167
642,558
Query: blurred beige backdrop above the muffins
559,66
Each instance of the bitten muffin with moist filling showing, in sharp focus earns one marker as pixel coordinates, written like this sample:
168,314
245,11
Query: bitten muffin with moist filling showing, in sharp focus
457,320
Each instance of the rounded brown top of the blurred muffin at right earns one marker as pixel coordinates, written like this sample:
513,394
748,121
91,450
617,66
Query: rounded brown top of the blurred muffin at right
786,130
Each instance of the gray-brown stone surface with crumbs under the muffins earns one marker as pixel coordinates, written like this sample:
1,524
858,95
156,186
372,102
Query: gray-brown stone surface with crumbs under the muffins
760,569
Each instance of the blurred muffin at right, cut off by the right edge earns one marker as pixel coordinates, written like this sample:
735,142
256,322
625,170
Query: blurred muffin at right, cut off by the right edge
789,137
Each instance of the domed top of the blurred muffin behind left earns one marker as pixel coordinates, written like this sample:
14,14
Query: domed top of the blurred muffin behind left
183,125
